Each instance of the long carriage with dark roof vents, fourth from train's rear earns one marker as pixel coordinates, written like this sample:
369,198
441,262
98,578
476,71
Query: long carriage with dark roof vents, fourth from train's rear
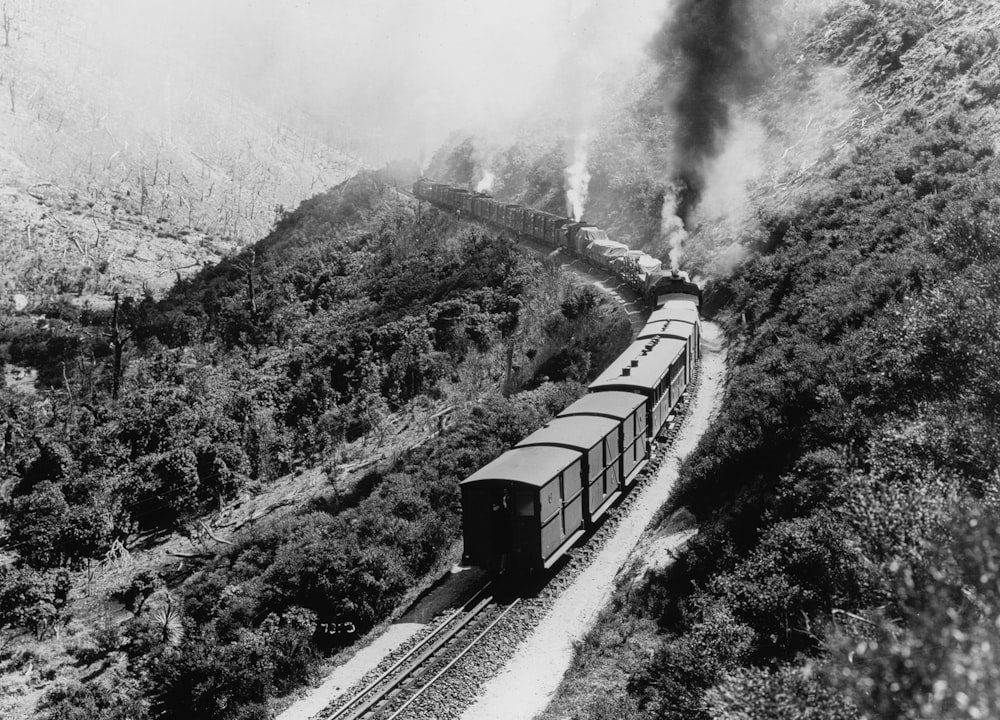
655,368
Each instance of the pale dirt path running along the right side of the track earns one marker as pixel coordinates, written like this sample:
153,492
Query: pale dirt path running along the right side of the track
531,678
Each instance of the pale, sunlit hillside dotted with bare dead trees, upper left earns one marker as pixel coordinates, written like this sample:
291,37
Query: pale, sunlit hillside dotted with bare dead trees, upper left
125,165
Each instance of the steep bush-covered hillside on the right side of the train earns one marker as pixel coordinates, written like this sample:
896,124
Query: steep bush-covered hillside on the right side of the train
846,561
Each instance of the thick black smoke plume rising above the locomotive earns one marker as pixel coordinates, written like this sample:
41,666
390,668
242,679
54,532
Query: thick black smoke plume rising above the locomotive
713,53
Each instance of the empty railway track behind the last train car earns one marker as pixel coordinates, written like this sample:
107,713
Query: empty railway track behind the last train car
390,694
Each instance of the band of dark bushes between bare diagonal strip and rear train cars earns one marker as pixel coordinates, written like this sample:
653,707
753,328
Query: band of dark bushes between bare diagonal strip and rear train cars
352,565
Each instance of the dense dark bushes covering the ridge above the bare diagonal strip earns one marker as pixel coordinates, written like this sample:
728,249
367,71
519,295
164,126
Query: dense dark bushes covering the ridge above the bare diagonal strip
358,305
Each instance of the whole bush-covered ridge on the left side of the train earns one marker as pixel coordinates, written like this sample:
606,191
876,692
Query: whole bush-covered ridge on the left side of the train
360,310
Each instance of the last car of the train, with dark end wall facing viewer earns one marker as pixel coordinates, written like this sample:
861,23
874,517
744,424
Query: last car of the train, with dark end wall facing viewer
523,510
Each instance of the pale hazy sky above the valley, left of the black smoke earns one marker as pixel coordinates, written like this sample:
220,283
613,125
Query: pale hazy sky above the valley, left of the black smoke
405,72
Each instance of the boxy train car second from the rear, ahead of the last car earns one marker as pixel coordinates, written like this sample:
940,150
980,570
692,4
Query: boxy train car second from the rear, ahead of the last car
597,440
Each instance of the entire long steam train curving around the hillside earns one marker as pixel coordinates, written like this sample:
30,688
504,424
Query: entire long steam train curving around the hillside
525,509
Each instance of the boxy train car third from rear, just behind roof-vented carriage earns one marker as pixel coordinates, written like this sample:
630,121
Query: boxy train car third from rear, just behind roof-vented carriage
628,410
